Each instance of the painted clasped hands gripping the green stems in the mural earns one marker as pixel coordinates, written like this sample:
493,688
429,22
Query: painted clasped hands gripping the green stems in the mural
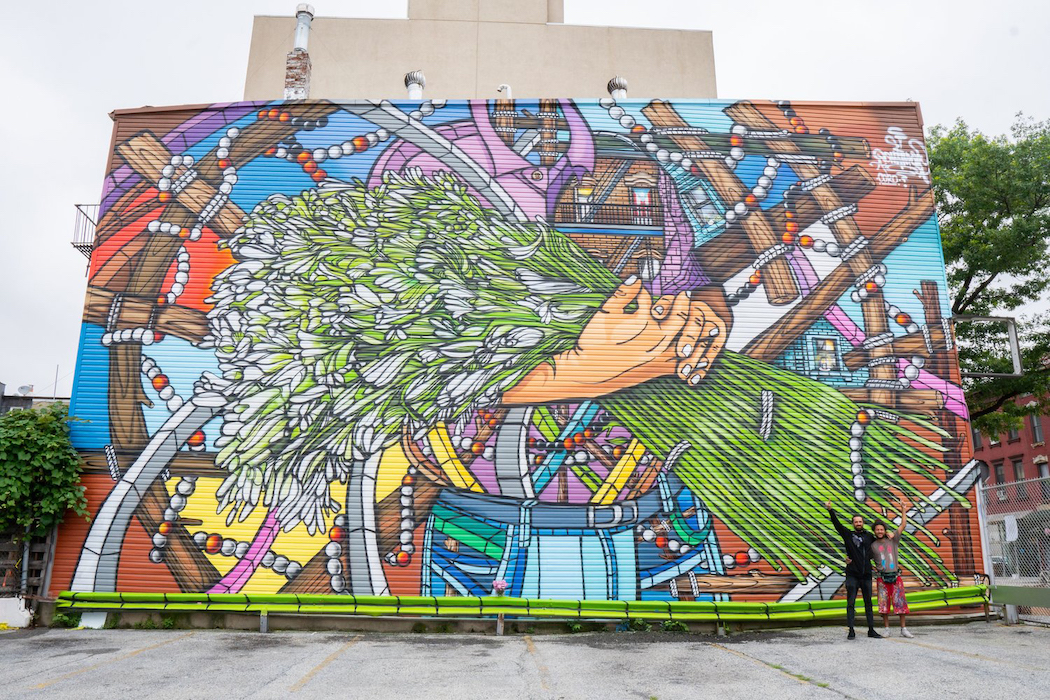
632,340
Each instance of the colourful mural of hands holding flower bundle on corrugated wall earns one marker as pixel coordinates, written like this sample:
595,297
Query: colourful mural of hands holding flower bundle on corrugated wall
596,350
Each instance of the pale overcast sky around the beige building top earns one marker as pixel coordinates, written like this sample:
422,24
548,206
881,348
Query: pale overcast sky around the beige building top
66,70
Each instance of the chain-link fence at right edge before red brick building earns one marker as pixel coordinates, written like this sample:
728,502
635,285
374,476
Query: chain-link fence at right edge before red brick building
1017,524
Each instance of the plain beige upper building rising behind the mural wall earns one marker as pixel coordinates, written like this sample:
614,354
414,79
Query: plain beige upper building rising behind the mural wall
469,48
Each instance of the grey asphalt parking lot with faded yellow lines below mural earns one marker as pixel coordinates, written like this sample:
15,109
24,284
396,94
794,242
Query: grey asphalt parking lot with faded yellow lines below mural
974,661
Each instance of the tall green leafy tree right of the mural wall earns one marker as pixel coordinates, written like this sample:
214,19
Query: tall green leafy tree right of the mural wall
994,207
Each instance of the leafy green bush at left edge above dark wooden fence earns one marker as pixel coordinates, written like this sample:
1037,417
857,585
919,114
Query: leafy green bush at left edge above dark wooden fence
39,472
